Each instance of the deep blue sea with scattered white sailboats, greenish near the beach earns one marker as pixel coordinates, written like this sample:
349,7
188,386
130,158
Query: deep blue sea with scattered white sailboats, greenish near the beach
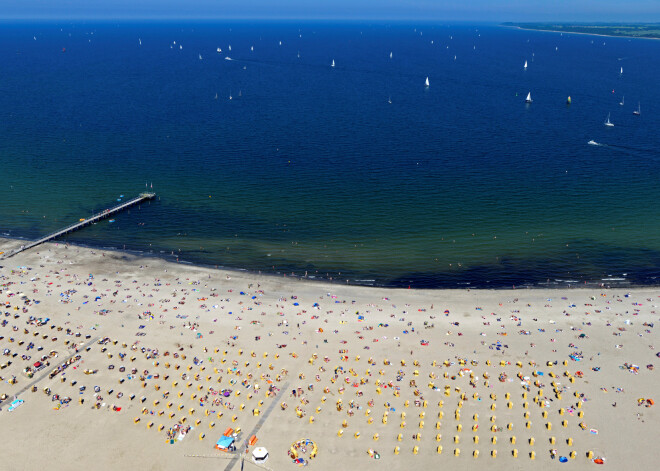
266,158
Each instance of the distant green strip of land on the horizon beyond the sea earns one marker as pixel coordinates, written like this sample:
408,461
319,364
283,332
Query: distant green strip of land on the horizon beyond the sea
635,30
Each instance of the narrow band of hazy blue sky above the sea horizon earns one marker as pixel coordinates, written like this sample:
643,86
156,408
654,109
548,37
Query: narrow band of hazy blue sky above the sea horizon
448,10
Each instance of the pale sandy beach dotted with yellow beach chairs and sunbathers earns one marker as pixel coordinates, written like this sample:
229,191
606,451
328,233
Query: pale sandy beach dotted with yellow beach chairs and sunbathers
144,364
